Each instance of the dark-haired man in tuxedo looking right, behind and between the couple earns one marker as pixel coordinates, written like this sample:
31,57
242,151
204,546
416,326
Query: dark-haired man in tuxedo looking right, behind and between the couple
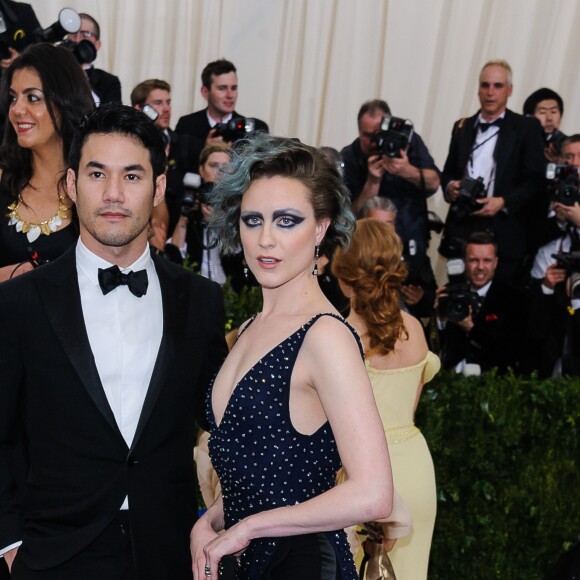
219,88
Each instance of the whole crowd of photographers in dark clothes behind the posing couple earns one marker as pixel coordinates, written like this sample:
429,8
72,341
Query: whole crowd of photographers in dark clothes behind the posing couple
510,238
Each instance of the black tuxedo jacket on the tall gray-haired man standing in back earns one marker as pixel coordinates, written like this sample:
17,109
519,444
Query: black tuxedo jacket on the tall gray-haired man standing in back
519,179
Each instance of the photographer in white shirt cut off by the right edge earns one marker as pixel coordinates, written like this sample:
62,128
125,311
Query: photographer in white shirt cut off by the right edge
554,291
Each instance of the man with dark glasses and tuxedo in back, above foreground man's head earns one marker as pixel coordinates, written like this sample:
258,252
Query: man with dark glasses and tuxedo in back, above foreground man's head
106,87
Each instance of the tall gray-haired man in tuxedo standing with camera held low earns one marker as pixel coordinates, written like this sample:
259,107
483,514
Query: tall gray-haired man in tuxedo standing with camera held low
506,151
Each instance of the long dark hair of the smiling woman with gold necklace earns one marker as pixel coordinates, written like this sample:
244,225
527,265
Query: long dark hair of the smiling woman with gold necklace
68,99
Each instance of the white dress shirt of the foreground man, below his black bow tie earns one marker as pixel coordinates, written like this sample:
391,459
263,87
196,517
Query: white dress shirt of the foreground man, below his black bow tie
124,333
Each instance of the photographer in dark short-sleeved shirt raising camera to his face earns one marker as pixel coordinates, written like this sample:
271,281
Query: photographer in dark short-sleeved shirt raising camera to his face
407,178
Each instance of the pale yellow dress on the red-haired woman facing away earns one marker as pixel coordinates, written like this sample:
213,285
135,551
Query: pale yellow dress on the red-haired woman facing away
395,392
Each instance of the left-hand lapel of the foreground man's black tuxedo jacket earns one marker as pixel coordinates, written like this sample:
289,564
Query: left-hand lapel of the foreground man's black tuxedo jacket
59,290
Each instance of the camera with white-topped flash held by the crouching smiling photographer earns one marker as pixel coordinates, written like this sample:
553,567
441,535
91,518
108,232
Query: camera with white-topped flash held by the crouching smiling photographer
455,306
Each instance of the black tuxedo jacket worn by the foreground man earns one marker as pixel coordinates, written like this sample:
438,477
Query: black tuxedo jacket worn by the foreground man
79,466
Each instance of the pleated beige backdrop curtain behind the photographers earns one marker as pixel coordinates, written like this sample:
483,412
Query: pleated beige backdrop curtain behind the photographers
305,66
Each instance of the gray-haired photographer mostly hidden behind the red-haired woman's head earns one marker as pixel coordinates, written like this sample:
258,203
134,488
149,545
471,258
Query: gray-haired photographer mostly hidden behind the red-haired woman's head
418,289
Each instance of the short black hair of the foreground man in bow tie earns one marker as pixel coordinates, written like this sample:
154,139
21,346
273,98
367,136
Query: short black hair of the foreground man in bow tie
115,119
